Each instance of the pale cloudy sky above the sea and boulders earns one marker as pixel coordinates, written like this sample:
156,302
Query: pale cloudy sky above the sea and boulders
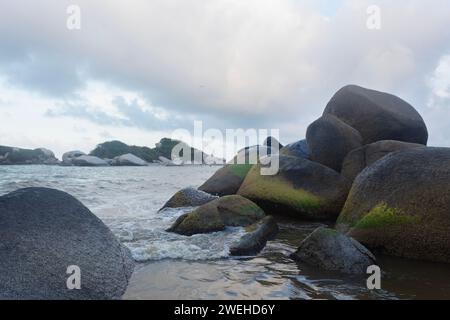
139,69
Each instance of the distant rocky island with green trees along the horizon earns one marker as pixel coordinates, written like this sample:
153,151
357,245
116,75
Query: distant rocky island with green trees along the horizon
111,153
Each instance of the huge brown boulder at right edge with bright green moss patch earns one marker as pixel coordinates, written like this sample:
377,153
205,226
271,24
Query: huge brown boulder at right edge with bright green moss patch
400,205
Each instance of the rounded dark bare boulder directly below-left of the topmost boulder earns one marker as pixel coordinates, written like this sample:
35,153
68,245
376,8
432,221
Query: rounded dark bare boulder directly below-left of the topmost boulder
330,140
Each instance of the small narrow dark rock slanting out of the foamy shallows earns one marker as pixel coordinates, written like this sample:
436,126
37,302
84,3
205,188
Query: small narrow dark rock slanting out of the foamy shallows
256,237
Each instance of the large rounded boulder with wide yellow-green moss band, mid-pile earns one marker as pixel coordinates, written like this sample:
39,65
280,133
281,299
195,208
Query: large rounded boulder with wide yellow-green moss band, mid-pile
302,189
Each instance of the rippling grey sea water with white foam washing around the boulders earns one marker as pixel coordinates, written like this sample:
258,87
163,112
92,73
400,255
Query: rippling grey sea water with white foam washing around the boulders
171,266
